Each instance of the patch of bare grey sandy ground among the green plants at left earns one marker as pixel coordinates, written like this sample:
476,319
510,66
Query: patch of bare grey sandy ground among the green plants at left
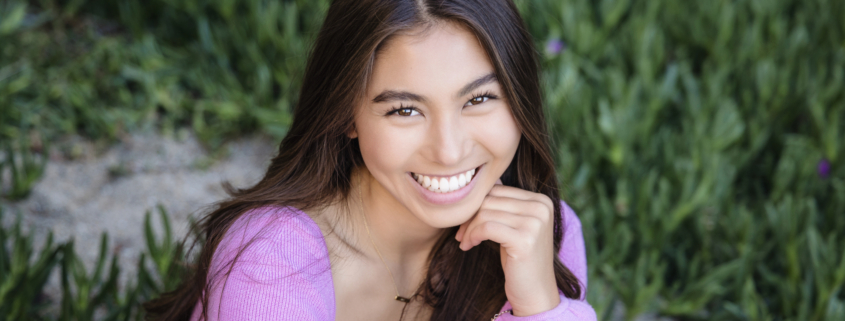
111,190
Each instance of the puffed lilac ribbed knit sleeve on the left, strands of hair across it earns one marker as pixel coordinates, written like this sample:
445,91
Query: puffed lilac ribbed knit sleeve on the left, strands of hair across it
282,273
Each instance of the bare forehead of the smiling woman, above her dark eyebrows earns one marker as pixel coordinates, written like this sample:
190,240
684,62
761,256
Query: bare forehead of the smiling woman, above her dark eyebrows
435,61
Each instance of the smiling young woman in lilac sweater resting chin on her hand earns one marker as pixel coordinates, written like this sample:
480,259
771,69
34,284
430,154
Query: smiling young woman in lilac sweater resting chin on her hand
416,183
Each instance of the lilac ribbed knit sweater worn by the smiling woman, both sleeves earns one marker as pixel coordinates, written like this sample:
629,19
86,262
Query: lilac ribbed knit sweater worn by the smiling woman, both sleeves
285,272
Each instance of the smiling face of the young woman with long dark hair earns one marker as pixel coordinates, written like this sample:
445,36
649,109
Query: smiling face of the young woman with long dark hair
435,129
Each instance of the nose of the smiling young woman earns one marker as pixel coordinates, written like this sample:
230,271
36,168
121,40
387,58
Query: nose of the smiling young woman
451,141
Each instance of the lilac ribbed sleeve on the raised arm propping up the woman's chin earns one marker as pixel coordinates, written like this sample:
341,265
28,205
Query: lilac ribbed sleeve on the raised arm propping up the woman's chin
574,256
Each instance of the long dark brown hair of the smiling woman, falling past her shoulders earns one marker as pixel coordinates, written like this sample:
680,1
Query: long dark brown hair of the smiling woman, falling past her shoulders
316,159
